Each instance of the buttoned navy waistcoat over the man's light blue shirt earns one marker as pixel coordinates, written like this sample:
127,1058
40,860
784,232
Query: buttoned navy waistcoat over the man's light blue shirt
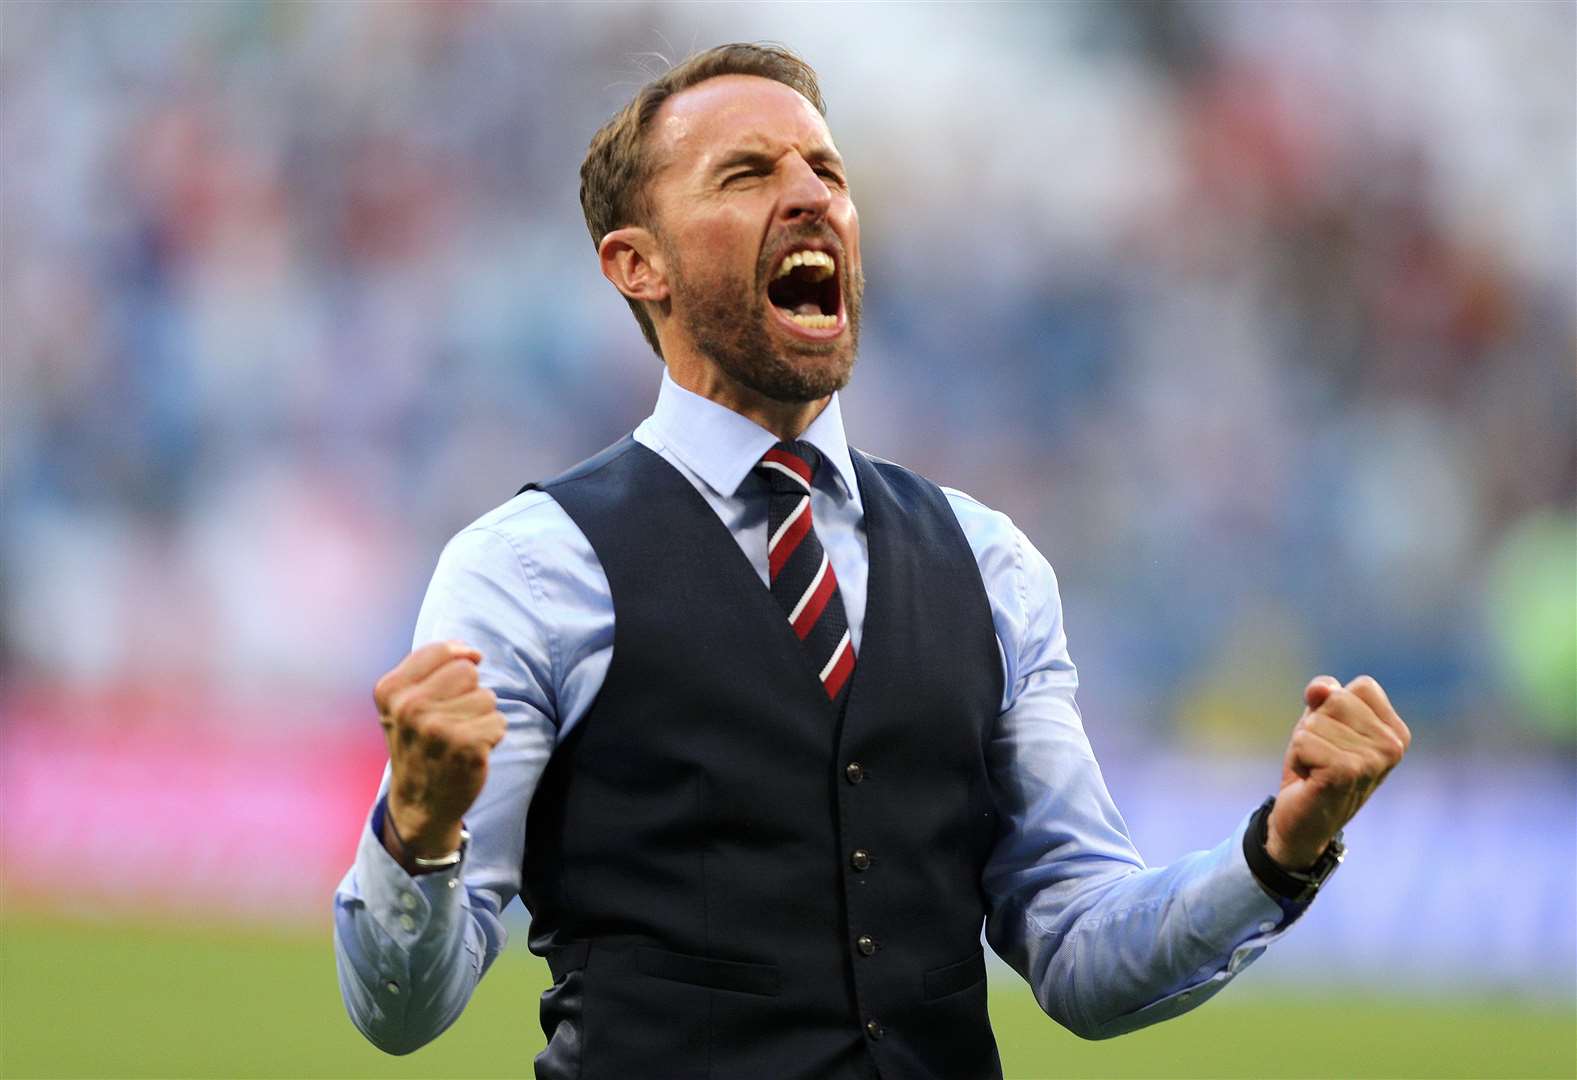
728,877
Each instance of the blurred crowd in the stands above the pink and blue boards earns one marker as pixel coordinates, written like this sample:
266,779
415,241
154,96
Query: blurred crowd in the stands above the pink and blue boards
1256,318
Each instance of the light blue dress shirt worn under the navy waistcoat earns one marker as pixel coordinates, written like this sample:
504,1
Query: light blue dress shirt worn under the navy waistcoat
1106,945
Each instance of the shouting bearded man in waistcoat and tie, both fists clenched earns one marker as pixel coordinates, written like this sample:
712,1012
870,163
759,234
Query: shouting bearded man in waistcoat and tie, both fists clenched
775,724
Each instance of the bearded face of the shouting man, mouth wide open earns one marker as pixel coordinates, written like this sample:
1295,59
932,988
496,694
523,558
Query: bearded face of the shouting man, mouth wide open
753,218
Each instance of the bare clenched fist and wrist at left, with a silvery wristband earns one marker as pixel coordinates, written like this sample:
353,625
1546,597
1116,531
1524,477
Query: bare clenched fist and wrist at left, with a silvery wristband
441,726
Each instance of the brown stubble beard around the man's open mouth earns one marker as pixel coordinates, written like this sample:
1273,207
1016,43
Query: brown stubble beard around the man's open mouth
728,326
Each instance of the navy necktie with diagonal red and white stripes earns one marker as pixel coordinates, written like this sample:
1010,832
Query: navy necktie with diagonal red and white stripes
802,576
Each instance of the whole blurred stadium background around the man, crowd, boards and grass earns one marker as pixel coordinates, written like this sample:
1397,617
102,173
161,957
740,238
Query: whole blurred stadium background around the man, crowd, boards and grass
1258,318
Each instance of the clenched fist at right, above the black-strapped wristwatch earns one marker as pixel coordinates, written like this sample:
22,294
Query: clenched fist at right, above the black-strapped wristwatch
1346,743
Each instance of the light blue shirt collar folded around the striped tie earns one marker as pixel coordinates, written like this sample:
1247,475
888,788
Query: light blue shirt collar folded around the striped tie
723,447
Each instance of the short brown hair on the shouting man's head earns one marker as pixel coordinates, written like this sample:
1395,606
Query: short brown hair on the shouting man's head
616,171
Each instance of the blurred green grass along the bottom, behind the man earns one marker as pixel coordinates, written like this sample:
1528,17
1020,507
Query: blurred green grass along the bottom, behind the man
147,1000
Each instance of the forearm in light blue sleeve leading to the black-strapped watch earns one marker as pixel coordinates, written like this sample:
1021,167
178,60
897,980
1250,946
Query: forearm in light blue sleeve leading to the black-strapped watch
1125,948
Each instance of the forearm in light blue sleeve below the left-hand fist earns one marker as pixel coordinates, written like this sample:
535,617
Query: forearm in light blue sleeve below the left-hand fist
411,952
